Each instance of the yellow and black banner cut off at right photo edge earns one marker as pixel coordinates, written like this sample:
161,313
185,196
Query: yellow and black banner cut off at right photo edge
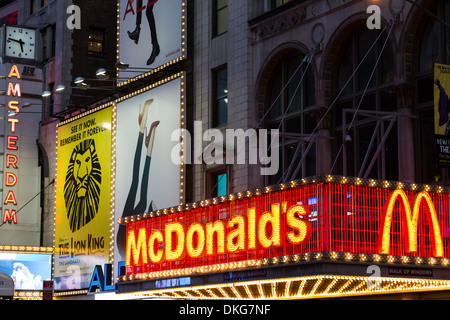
441,114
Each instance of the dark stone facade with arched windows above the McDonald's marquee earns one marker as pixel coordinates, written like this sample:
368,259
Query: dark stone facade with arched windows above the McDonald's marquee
268,48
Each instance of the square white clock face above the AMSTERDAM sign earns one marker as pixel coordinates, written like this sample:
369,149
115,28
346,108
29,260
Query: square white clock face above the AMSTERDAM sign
20,42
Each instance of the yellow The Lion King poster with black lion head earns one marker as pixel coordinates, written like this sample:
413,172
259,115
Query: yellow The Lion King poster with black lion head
83,207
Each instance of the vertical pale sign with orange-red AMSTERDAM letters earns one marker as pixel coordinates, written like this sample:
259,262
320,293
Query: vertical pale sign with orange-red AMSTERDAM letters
20,114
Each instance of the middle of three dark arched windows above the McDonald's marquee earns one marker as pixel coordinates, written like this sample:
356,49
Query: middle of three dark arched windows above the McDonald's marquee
365,124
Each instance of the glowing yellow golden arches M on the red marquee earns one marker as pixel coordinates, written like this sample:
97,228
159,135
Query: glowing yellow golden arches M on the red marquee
410,222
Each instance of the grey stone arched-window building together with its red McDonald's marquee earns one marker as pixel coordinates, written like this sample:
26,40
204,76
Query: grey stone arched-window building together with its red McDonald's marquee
355,109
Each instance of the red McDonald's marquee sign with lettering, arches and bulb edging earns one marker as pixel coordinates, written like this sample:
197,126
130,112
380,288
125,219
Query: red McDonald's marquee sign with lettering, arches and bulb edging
290,222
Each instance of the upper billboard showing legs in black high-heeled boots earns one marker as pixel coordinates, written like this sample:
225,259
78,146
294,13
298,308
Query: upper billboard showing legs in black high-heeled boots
151,36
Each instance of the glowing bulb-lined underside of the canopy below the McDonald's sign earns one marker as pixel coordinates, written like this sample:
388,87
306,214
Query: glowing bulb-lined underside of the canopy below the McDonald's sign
308,287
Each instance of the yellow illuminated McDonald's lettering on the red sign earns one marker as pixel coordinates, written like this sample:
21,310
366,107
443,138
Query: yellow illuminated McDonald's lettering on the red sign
240,233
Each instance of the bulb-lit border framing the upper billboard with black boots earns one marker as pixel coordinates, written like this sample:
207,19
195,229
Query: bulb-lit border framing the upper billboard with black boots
155,70
